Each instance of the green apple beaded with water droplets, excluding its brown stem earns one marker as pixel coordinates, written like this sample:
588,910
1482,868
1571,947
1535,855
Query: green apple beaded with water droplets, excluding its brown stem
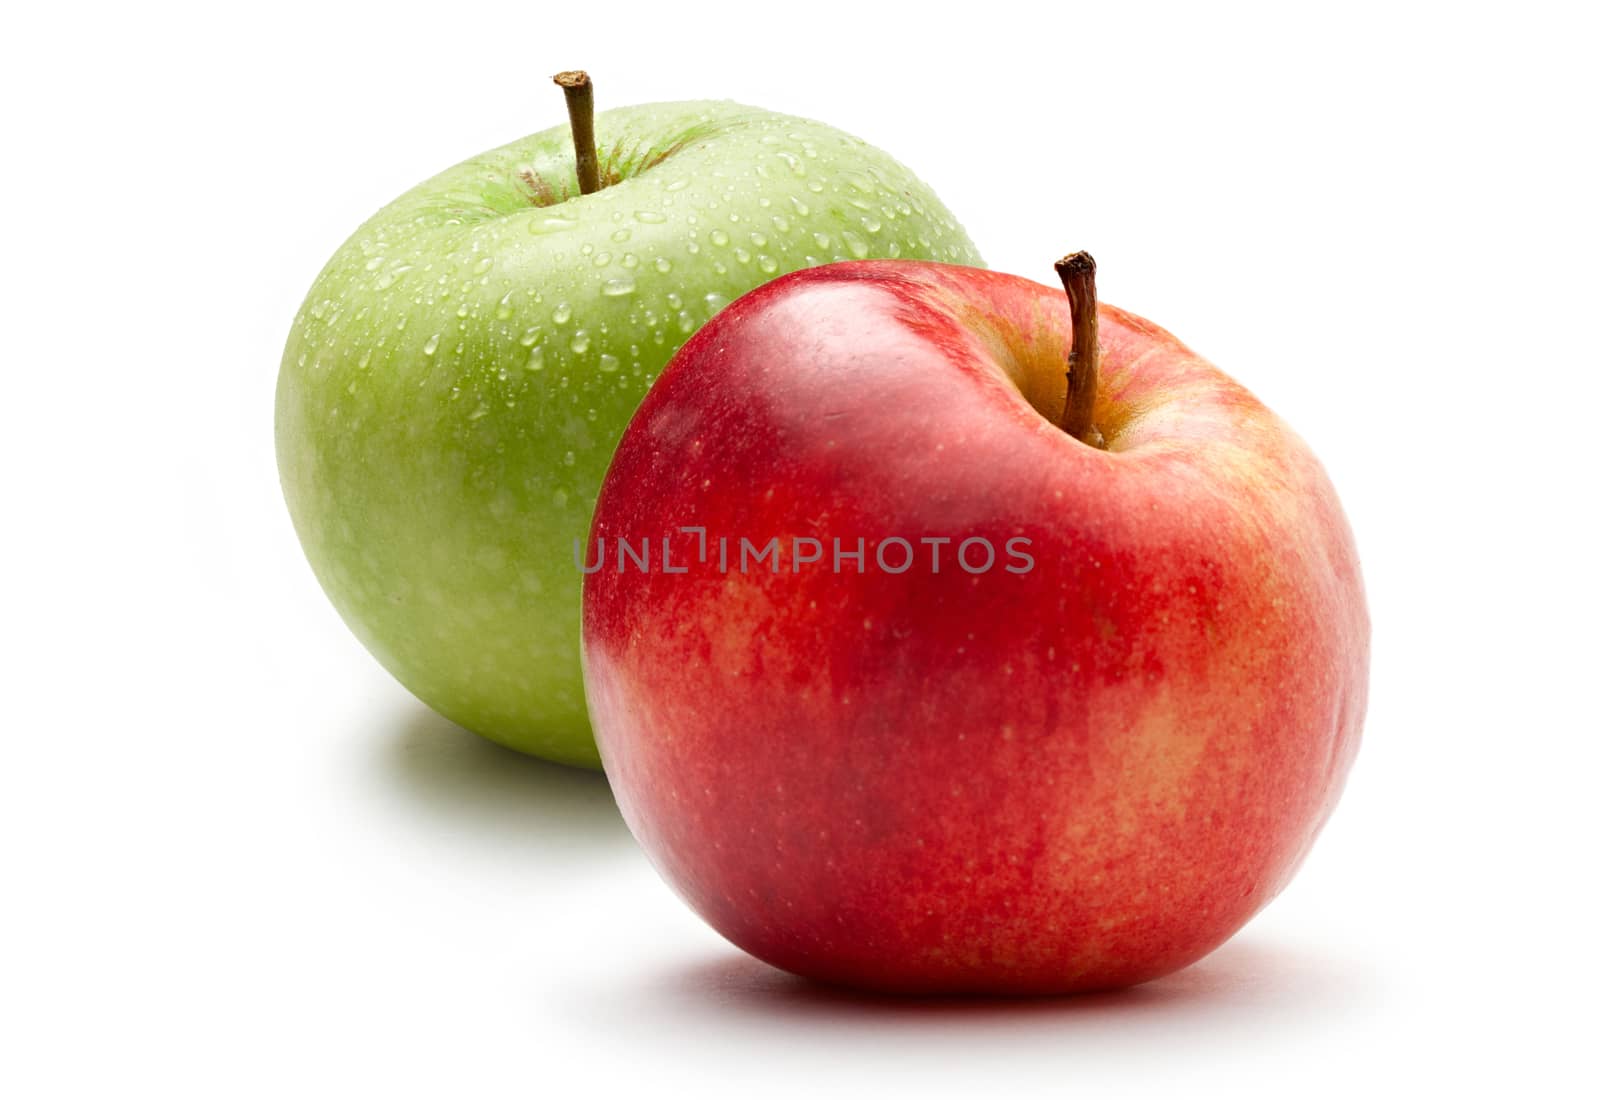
465,365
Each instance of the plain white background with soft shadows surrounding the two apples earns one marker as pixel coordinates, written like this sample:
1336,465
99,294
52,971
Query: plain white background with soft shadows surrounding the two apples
241,861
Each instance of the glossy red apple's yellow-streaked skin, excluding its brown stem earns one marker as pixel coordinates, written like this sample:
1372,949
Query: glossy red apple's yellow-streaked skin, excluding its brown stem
1078,778
